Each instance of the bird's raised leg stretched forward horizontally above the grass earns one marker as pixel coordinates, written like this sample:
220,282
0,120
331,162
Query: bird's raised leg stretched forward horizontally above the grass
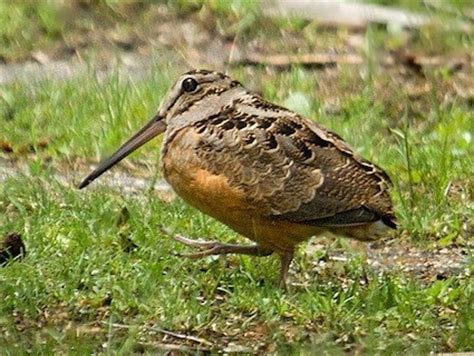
209,248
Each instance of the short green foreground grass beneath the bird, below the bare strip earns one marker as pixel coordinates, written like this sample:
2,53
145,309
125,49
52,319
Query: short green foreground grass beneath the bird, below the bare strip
77,274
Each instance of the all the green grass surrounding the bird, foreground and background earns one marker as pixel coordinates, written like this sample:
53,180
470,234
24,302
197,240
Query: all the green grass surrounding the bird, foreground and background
100,277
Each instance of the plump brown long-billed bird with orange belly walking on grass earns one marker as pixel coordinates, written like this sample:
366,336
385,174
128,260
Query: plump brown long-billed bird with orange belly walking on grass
268,173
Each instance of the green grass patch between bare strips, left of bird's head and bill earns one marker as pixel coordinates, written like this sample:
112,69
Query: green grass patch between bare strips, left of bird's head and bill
80,106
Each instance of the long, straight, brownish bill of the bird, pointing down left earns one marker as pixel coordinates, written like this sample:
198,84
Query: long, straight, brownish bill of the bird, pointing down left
150,130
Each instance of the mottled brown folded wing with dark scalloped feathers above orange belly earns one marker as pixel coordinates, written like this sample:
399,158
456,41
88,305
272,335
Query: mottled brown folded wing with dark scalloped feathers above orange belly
290,168
